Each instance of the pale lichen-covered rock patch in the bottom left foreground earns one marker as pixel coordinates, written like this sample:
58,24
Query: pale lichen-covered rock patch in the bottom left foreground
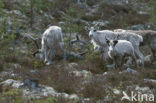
40,91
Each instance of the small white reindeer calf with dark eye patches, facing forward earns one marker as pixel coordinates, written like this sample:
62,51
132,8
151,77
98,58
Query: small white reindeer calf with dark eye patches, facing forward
119,50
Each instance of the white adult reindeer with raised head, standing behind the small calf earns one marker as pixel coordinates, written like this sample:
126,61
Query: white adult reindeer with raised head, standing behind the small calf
99,37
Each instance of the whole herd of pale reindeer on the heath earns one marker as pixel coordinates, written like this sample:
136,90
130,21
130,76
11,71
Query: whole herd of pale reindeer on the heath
119,46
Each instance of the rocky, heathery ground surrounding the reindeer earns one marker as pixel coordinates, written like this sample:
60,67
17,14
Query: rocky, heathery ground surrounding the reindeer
24,78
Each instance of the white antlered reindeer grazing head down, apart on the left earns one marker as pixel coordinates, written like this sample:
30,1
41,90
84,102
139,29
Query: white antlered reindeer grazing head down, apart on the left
52,40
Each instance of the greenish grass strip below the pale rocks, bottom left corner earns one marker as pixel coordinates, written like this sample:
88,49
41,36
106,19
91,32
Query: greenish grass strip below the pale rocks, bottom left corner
10,95
